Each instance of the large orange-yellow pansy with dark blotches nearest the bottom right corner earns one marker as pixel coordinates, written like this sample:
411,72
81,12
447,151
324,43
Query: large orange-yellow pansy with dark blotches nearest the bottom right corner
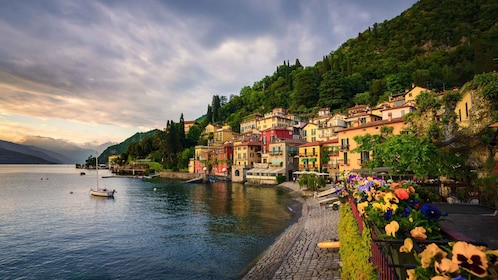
470,258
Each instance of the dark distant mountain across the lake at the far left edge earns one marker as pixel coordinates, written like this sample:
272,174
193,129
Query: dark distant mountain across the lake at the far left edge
11,153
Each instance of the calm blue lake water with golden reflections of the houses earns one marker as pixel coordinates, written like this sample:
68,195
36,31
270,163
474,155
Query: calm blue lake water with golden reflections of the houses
151,229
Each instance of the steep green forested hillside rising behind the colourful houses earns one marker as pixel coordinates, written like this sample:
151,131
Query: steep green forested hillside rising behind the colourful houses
434,44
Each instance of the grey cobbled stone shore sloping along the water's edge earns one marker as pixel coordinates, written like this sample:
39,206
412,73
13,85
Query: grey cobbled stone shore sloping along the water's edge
295,254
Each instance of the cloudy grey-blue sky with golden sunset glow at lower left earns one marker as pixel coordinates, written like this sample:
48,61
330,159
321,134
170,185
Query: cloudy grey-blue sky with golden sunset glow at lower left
100,71
